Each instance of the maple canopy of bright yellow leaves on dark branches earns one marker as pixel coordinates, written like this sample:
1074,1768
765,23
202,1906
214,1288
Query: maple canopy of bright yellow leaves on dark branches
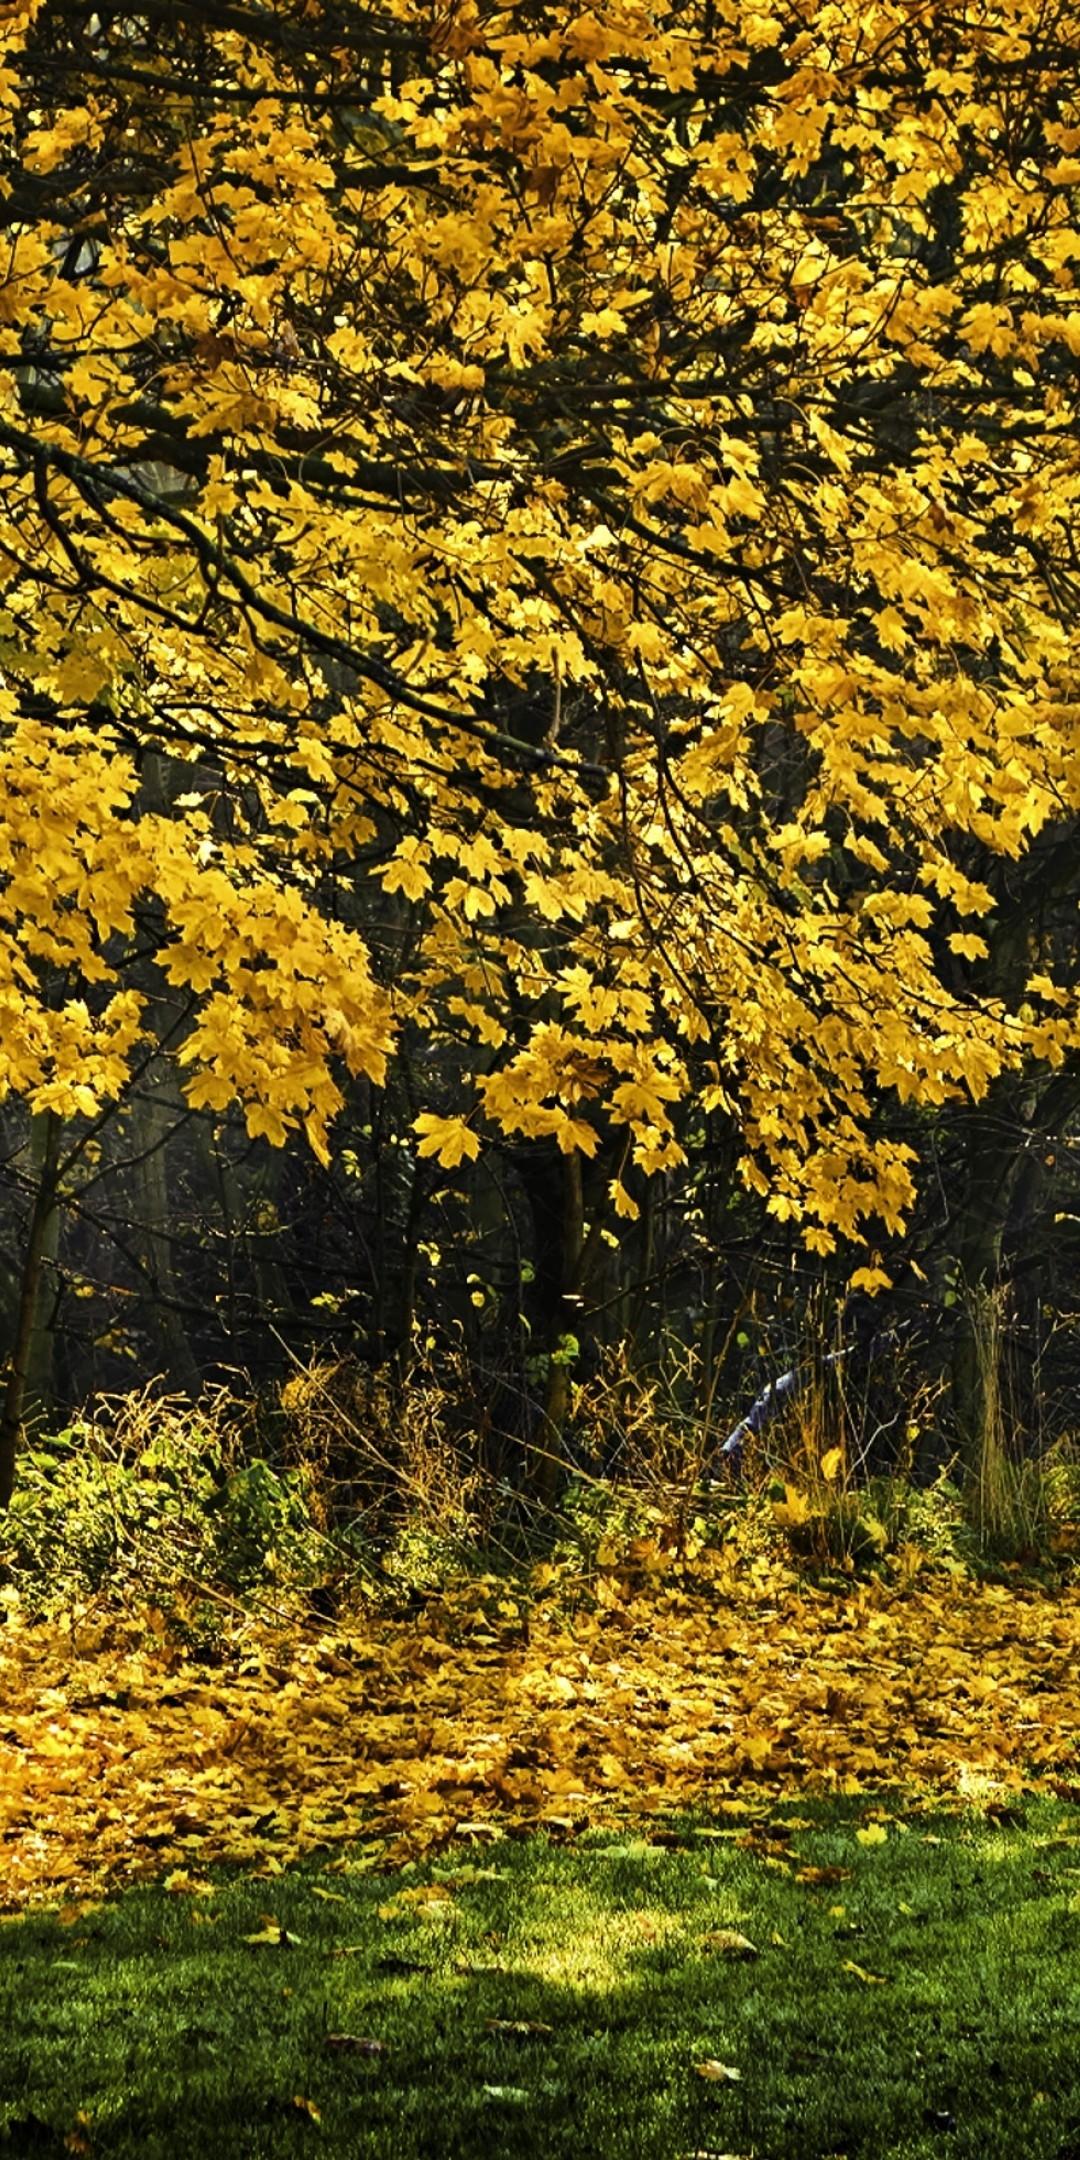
552,532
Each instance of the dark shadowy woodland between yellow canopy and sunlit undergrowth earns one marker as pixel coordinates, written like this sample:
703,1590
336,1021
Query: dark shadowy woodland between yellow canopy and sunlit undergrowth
189,1254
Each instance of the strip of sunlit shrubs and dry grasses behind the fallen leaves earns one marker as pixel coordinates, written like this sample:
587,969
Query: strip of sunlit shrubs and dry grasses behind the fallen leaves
366,1489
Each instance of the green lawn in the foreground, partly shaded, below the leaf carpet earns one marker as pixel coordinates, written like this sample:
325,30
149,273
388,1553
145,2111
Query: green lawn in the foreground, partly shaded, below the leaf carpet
183,2042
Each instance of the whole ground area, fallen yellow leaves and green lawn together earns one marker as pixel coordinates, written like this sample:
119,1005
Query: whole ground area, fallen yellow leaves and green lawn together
463,1880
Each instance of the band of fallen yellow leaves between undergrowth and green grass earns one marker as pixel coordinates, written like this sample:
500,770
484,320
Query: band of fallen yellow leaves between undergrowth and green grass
483,1714
